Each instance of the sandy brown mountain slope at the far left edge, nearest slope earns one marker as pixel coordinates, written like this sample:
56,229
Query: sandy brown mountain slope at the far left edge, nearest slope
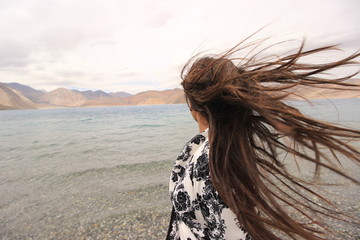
13,99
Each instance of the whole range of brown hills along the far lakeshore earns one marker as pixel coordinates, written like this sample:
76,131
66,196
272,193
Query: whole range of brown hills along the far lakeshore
18,96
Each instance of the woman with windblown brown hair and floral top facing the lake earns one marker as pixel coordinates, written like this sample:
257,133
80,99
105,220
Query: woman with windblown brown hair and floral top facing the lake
229,182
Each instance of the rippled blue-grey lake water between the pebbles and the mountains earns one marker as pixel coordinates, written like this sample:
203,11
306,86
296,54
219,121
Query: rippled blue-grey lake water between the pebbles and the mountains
65,167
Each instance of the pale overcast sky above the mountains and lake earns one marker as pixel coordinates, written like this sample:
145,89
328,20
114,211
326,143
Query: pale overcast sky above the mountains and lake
139,45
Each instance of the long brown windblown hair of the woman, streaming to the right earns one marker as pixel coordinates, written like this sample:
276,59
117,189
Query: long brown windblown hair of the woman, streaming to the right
250,124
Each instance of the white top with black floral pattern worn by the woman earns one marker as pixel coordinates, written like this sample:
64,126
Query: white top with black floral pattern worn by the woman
199,212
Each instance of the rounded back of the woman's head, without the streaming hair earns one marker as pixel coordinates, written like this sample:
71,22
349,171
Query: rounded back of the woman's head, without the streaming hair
211,85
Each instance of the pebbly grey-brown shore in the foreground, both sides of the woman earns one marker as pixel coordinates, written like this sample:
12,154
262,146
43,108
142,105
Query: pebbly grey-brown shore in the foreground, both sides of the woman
144,213
